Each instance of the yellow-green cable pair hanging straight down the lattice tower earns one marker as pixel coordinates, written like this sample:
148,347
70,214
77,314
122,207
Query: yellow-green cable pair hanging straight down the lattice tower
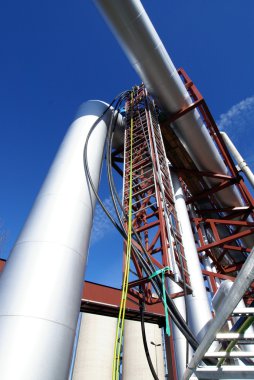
121,316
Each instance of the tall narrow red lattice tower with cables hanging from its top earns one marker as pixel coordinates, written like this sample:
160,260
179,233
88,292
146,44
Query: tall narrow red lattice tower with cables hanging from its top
153,212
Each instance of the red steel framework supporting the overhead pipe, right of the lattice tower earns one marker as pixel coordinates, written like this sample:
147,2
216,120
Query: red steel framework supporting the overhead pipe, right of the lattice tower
227,251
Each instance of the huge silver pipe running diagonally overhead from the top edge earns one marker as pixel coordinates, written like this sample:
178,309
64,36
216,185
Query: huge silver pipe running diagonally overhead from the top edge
146,52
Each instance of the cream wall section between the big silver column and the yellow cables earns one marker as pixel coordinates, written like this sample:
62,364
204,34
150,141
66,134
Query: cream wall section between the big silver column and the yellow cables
95,350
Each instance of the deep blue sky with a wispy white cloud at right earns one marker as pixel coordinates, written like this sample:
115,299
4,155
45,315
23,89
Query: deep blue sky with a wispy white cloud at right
57,54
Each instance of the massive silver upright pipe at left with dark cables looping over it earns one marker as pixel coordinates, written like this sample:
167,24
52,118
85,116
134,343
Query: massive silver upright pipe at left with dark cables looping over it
41,285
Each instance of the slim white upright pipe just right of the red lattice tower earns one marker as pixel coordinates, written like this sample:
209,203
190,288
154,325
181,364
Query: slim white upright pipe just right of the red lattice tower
198,306
